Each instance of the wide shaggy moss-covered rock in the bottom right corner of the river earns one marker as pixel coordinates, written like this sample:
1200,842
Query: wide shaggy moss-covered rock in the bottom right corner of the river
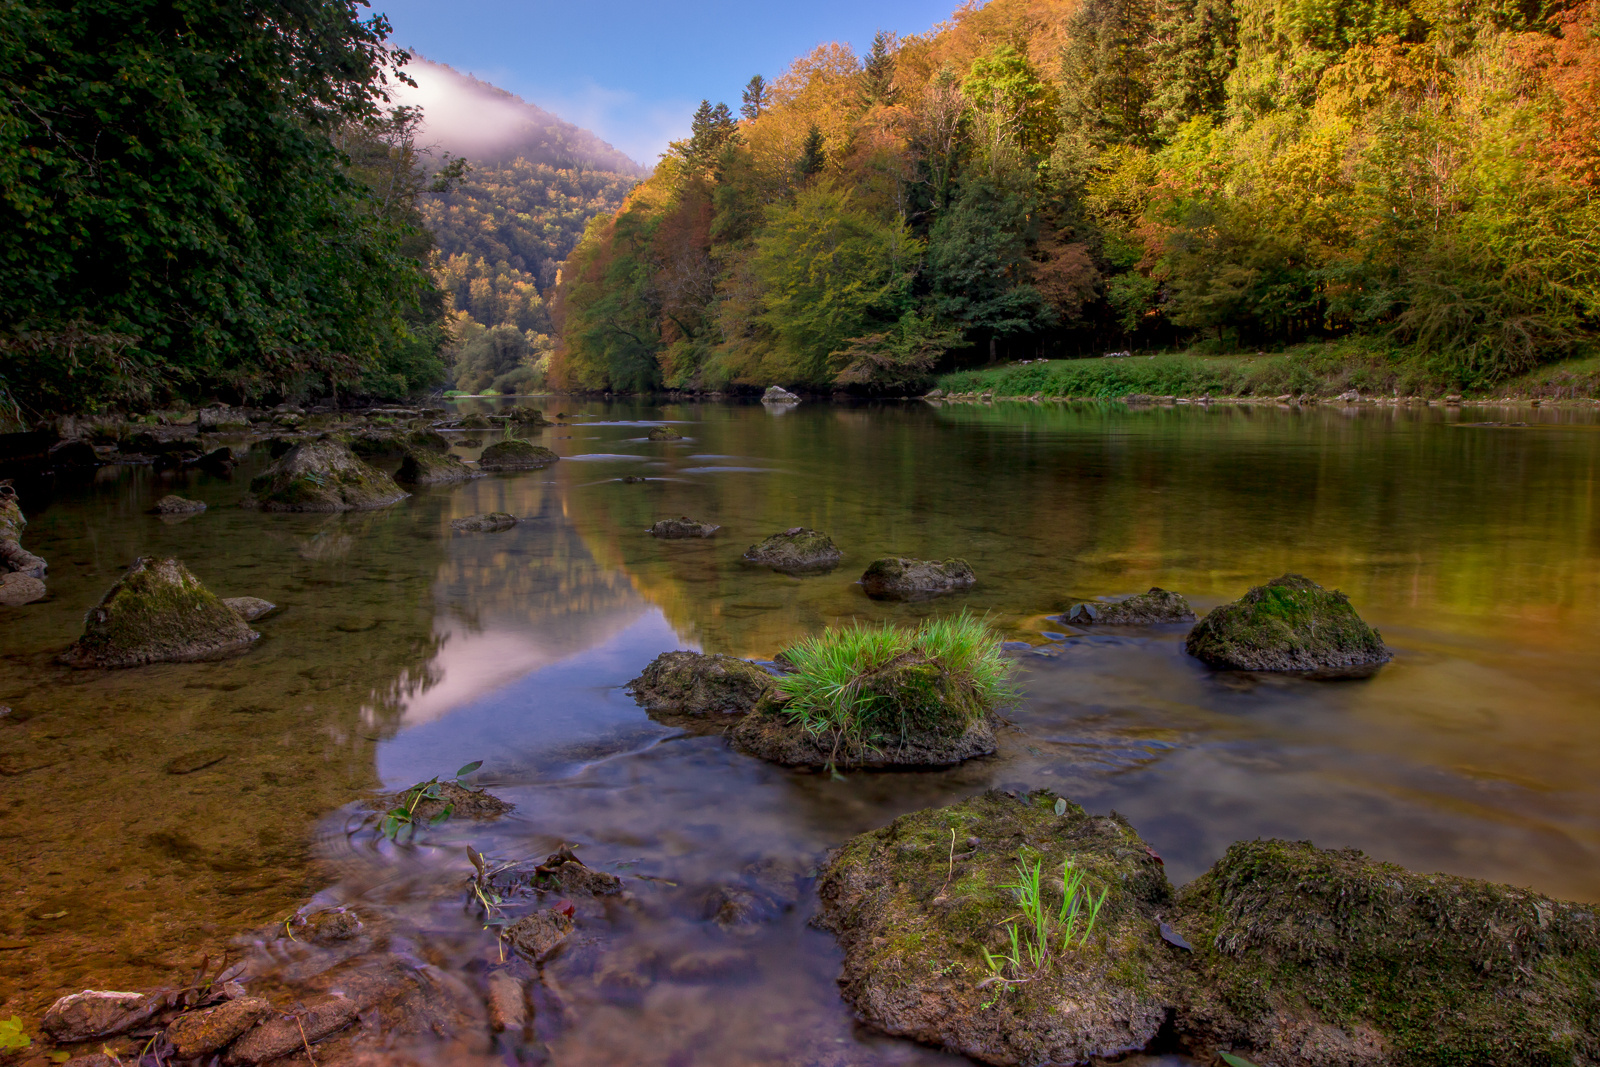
1326,959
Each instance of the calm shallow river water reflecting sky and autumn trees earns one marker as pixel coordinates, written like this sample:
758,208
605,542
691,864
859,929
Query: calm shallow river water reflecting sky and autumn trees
148,817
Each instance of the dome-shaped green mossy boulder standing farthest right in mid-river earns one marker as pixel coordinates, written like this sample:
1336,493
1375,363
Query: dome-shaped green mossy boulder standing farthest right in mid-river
1289,625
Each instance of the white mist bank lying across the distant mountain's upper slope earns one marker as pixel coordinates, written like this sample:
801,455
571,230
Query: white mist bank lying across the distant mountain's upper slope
486,124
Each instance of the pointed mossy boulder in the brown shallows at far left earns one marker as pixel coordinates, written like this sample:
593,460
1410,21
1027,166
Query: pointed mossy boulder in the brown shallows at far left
158,613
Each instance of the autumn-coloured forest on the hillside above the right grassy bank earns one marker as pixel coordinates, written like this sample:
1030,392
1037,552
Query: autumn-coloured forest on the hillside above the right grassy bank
1057,177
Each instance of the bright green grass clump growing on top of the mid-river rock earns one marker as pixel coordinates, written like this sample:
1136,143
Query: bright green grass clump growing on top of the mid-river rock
884,682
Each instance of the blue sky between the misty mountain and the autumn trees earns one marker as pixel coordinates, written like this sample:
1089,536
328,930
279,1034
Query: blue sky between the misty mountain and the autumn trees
634,71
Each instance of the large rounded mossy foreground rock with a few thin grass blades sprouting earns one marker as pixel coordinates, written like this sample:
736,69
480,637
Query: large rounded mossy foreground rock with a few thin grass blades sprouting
919,903
